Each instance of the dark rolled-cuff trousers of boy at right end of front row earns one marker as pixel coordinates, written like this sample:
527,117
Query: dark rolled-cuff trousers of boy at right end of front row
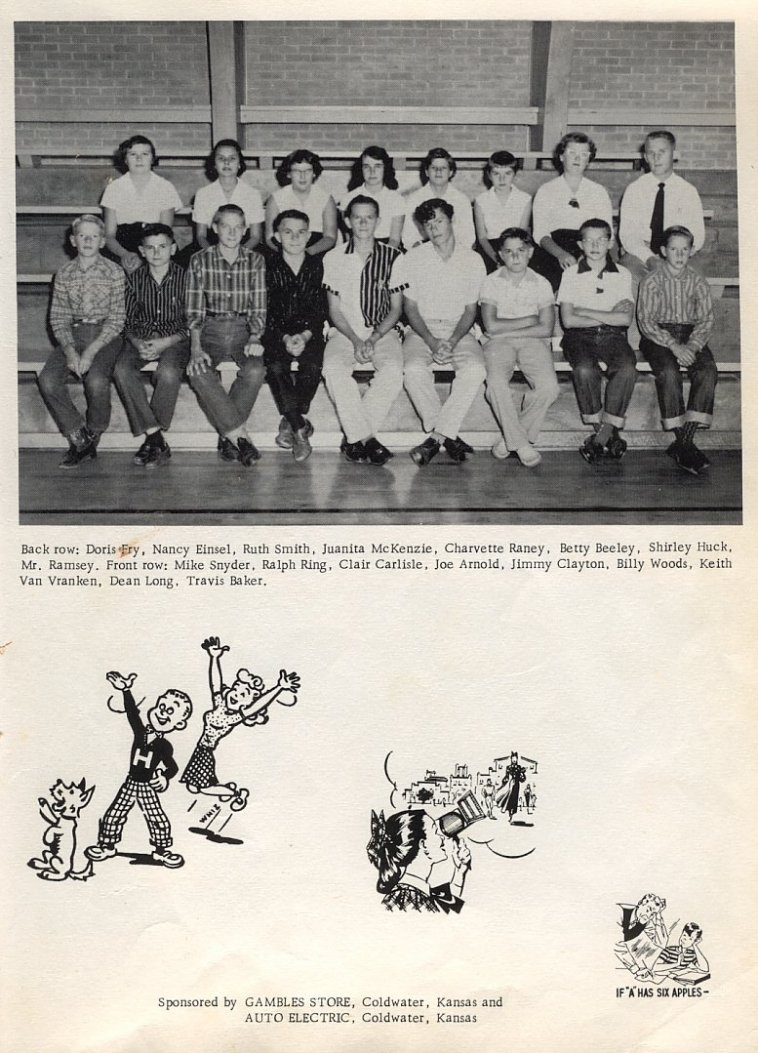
703,374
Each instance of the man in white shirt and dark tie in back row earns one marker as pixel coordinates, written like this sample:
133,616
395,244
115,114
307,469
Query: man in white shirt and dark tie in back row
654,203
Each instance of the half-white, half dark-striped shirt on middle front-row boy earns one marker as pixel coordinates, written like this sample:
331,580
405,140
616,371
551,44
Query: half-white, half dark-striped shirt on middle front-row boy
364,287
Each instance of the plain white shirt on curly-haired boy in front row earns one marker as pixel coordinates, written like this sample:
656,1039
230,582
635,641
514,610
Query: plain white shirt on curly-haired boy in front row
442,289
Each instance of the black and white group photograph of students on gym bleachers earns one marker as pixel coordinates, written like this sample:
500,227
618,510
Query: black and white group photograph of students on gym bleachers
422,272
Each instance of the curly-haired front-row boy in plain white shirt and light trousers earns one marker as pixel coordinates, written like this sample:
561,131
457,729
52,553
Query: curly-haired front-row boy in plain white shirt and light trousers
441,282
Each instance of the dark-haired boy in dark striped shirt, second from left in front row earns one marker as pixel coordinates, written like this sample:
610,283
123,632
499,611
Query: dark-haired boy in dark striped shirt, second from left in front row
156,332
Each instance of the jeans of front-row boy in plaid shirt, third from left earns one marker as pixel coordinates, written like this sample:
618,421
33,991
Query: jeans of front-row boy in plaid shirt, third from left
225,340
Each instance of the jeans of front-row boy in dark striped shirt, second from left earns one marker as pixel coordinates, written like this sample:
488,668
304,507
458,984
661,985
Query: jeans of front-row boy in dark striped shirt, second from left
167,382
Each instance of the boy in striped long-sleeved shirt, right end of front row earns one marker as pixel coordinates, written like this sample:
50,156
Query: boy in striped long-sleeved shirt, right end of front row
676,316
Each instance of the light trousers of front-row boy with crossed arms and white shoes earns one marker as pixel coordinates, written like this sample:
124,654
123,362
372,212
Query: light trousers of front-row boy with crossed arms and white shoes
533,356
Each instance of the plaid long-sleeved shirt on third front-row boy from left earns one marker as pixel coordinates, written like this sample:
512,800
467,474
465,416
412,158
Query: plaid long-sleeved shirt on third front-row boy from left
216,286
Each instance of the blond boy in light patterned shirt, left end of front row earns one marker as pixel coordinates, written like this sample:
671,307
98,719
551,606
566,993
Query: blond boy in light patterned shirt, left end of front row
87,317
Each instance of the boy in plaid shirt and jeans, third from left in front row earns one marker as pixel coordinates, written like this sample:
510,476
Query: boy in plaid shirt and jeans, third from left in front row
227,311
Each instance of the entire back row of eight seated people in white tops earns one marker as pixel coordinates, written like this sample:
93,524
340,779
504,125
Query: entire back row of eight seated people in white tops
659,200
